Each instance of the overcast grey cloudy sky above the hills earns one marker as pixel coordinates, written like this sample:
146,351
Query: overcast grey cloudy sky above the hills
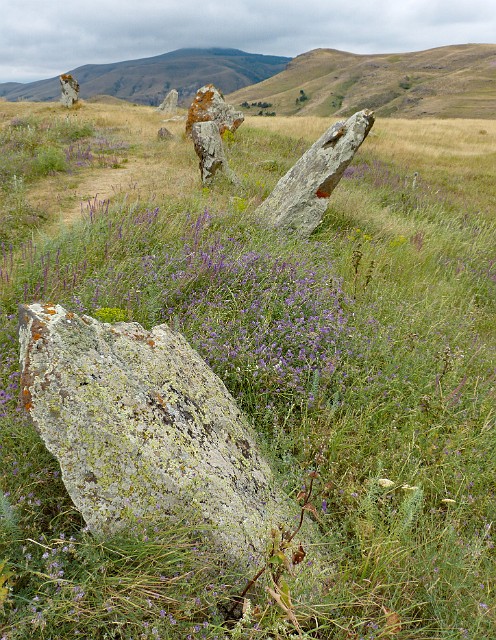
43,38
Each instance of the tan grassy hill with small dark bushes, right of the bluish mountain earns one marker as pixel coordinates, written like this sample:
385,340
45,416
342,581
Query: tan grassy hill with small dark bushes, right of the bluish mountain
456,81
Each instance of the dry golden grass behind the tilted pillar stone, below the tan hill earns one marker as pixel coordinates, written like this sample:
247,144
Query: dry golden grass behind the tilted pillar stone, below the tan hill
459,154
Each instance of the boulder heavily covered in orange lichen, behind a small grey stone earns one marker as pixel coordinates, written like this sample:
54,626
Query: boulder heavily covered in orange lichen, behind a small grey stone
209,104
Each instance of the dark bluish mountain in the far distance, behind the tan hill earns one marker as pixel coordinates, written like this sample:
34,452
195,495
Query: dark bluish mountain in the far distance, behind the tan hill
148,80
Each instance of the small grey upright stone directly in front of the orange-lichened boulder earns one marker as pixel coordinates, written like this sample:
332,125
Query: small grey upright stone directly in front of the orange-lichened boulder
209,148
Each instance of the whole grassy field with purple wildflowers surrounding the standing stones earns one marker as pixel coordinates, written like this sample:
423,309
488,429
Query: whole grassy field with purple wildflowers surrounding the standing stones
365,354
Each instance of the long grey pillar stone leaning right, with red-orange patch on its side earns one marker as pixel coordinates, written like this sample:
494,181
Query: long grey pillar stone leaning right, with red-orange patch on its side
300,198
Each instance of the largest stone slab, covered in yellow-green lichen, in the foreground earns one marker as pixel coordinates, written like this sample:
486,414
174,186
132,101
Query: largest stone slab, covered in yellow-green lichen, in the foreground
143,428
